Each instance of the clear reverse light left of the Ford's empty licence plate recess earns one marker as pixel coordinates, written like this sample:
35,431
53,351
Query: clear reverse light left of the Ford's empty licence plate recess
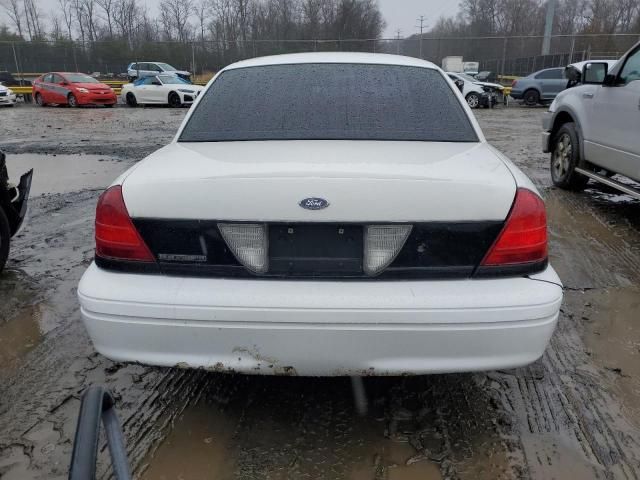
249,244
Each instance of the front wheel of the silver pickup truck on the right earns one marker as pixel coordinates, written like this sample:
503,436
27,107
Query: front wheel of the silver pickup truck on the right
565,157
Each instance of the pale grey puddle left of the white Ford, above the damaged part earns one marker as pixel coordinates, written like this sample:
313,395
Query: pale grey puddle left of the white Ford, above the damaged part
65,173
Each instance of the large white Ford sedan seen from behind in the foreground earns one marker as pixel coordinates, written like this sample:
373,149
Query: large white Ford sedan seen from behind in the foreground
324,214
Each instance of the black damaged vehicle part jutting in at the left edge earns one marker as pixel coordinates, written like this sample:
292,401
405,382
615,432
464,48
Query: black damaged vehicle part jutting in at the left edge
13,207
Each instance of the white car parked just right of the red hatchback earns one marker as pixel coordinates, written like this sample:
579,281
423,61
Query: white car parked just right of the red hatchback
160,89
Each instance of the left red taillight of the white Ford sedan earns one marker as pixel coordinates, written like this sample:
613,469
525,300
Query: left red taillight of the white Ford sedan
116,236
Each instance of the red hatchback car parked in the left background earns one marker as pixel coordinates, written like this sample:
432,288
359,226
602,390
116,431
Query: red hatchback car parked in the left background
72,89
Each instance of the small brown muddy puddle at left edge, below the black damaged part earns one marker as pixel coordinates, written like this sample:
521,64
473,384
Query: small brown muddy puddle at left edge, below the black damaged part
20,334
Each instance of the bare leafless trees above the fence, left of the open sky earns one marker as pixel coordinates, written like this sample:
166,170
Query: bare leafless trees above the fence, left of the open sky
230,21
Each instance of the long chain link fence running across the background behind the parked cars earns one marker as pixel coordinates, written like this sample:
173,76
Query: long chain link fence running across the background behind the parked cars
515,56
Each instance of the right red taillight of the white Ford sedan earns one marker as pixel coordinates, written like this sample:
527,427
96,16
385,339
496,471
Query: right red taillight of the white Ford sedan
524,236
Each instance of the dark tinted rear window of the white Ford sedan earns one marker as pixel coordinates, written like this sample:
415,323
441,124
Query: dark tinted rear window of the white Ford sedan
329,102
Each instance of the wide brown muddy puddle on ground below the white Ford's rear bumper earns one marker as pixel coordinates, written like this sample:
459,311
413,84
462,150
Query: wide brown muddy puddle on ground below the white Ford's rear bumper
208,443
